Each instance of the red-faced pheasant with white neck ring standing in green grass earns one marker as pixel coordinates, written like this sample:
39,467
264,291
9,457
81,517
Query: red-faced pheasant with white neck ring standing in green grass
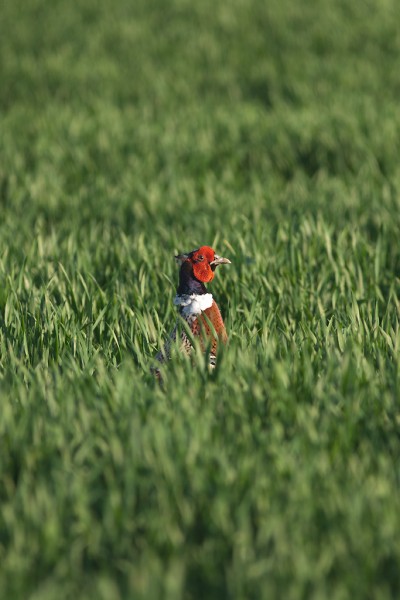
196,305
